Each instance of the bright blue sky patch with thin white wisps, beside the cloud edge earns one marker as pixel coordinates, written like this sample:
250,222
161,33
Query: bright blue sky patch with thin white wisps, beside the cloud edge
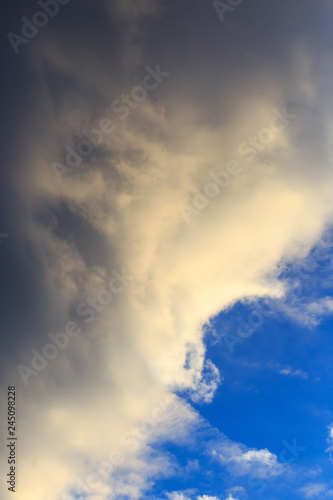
274,391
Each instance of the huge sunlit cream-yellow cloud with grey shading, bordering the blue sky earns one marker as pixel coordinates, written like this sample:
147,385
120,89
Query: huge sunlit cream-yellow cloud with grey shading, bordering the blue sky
101,394
